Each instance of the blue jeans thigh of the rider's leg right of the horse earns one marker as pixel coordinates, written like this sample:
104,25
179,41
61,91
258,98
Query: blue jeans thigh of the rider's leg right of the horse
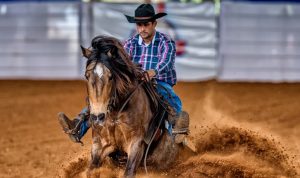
169,95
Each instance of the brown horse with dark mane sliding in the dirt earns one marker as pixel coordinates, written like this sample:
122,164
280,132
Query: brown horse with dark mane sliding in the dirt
124,109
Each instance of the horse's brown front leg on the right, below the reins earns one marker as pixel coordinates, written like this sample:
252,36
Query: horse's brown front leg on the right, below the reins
135,156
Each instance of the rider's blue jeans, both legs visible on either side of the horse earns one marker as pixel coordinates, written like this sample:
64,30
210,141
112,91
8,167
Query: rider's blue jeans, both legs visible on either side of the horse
163,89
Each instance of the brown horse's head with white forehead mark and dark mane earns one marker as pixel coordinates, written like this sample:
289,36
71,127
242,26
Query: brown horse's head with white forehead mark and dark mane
110,74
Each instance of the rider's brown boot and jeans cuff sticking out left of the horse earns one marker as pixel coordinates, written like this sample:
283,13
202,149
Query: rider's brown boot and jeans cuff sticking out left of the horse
75,128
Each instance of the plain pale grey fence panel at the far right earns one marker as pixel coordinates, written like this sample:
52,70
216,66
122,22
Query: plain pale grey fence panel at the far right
259,42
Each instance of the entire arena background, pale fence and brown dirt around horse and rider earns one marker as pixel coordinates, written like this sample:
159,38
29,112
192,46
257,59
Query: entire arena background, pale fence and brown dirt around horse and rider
238,67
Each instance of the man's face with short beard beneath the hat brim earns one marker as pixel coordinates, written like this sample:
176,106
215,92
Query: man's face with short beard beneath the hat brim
146,30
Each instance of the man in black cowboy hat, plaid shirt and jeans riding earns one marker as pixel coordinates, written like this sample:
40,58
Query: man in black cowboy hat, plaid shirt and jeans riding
155,52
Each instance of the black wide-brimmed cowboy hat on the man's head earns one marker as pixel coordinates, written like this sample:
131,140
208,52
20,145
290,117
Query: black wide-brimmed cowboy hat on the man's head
144,13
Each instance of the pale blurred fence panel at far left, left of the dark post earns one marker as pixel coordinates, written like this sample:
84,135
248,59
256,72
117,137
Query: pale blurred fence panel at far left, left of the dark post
39,40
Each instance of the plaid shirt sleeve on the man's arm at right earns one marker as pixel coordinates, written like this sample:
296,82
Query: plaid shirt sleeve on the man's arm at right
167,60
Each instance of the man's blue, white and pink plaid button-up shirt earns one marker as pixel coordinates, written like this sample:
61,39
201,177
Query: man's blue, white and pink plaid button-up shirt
158,55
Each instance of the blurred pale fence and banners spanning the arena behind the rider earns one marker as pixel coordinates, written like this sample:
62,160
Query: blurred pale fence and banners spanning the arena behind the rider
224,40
